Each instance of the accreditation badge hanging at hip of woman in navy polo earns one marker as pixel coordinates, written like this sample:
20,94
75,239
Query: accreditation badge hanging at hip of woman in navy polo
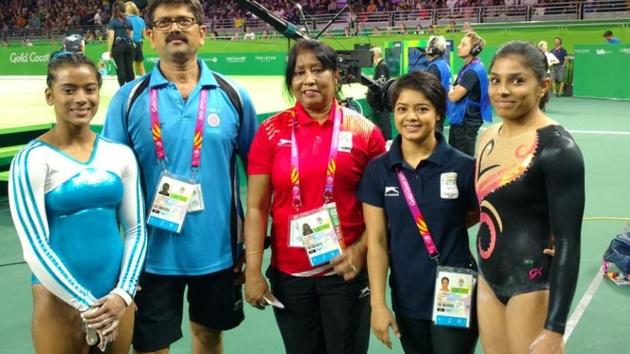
453,298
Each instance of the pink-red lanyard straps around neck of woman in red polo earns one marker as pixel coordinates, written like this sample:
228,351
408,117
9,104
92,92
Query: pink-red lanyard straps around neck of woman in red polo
330,169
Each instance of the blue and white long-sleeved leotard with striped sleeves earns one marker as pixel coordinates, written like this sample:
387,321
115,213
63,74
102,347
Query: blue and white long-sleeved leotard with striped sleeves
68,216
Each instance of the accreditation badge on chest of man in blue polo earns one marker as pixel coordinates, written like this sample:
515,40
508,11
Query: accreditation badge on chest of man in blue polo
171,202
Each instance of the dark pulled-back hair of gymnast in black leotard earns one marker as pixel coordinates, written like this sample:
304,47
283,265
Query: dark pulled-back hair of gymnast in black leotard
533,58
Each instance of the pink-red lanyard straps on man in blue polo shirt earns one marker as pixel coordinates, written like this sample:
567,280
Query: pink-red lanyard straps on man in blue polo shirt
157,132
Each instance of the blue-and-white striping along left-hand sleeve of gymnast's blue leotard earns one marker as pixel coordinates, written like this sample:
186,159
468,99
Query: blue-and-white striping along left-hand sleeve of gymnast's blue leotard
36,234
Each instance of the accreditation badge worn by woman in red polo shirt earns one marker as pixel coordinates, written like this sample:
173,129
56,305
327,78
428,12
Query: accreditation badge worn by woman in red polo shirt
318,232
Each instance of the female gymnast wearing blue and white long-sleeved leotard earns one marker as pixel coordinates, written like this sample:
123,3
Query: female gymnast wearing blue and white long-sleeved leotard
71,192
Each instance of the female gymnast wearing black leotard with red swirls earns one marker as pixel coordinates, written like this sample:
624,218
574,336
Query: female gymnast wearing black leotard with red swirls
530,185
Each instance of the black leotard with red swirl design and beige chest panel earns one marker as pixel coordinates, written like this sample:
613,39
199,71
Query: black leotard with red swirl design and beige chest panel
531,191
